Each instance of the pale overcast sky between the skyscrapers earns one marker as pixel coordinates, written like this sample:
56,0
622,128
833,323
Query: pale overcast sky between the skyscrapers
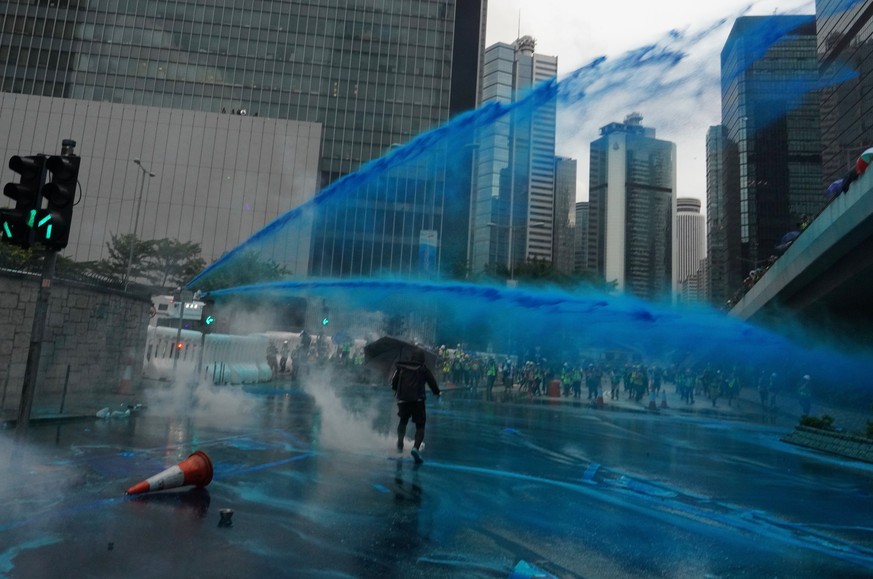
578,31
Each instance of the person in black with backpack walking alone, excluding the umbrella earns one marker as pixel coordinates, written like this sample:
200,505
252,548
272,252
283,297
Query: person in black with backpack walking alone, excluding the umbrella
408,383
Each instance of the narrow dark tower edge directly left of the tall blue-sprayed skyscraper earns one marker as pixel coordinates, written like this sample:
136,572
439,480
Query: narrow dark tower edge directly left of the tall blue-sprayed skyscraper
717,147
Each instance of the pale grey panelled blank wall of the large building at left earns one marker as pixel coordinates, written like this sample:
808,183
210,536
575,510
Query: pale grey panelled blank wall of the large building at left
217,178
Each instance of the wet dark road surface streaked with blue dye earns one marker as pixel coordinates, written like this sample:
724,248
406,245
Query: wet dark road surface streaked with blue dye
317,490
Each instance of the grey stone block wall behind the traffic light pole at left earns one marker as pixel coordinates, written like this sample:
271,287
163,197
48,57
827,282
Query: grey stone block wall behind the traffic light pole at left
97,332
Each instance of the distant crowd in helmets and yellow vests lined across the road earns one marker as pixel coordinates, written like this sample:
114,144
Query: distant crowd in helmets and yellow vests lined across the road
585,379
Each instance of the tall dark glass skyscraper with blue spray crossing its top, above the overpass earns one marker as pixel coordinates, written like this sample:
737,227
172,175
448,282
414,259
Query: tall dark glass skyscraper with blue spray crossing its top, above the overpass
772,157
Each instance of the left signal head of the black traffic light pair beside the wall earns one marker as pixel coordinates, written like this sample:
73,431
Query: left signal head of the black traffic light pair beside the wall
16,224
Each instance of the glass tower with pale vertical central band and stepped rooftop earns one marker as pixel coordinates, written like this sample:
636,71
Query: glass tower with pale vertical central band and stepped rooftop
632,203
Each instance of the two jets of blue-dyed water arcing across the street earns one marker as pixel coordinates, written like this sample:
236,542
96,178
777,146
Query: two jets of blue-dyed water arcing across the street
554,323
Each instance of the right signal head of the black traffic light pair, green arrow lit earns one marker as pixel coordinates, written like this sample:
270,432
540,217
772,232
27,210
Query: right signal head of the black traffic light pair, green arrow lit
52,224
